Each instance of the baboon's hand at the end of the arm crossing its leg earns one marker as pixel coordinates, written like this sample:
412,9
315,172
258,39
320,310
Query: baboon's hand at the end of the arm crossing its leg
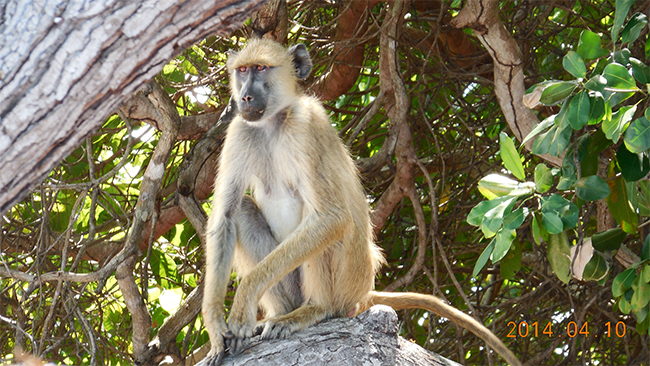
241,322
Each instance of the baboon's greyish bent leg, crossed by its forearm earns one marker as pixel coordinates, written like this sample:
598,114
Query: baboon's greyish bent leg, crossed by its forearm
254,242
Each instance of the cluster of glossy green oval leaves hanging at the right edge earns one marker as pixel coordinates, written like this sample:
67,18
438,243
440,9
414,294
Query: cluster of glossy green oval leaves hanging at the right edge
600,129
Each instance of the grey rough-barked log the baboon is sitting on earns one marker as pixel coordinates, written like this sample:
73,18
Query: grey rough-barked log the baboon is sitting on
368,339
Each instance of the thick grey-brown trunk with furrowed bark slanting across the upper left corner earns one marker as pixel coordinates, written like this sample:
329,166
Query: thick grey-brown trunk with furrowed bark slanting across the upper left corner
66,65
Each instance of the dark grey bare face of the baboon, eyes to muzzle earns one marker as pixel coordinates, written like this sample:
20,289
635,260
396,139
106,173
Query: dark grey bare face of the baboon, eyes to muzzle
253,91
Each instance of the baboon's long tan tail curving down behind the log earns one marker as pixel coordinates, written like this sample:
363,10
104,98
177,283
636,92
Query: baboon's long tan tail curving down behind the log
412,300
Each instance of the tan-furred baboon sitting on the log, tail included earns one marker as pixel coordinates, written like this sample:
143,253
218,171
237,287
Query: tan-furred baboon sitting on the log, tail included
302,241
